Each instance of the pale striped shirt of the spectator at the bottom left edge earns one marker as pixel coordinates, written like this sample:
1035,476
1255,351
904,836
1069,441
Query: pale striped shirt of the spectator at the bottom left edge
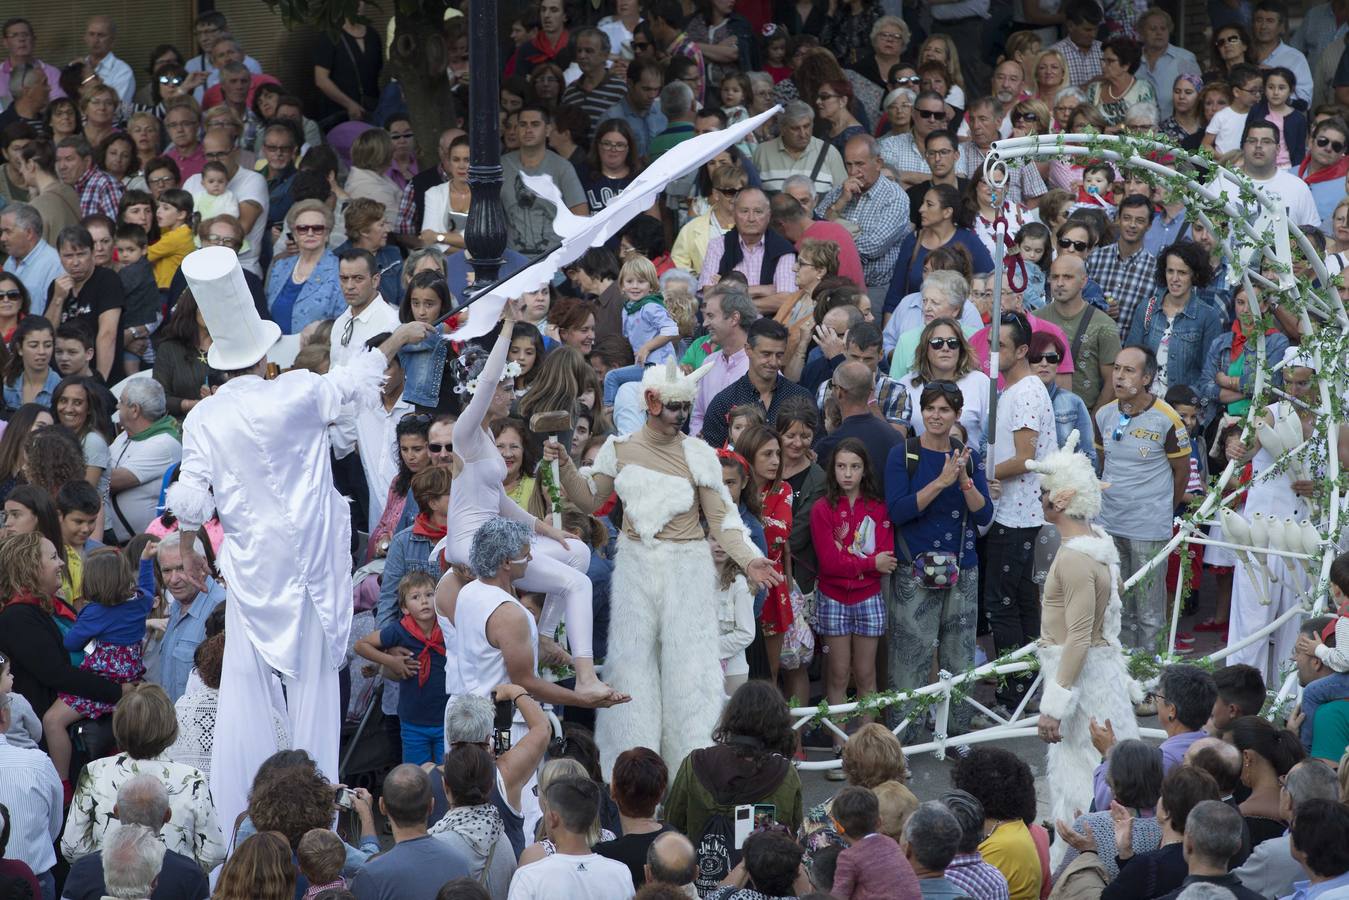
32,791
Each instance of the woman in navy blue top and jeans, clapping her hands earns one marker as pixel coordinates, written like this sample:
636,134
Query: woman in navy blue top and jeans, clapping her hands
937,482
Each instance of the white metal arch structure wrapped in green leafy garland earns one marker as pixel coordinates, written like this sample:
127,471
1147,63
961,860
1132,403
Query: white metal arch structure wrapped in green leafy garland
1255,231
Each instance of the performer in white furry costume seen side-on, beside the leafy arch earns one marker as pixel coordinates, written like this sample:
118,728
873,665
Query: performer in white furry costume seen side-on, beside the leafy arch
1081,659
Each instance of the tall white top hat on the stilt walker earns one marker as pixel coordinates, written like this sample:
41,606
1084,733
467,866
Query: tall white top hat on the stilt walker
239,337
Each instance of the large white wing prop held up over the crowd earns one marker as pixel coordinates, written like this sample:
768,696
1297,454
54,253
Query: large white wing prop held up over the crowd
581,233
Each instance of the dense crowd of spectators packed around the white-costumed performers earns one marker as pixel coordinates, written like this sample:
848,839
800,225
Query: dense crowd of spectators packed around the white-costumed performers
829,283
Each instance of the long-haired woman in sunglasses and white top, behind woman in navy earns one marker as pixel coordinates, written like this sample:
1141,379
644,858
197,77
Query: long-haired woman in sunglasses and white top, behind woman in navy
944,354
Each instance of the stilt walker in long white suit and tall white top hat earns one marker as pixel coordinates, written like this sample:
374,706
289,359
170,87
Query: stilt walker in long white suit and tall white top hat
257,454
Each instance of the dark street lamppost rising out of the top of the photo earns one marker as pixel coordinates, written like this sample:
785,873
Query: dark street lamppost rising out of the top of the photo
485,234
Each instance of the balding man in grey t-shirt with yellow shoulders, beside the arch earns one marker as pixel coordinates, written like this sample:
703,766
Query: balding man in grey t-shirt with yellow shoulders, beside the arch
1145,449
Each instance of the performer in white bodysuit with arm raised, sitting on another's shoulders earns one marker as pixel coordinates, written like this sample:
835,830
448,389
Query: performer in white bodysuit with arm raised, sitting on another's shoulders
559,563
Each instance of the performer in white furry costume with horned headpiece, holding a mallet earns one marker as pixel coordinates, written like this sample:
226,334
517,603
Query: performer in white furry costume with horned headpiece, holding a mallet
664,647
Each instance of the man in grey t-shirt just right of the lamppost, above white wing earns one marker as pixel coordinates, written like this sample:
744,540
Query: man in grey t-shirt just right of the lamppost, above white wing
529,221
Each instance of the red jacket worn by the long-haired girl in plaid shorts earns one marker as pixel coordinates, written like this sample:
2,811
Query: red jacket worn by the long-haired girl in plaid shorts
848,570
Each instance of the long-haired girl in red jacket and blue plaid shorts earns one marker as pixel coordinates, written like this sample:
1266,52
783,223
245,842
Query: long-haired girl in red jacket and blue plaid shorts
856,549
